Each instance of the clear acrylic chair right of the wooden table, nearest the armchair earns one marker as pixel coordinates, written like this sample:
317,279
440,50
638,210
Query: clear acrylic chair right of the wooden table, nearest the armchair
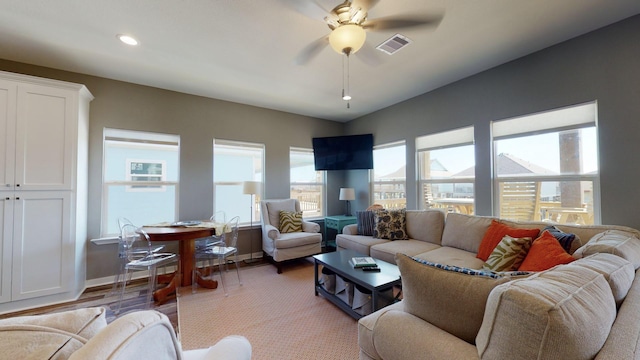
218,248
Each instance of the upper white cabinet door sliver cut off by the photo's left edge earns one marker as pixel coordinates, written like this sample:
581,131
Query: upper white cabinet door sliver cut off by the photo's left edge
7,134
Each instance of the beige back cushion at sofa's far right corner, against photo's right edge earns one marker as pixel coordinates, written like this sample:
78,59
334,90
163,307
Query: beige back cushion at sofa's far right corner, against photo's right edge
616,242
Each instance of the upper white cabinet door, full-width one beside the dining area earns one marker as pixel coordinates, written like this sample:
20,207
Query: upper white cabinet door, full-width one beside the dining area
45,133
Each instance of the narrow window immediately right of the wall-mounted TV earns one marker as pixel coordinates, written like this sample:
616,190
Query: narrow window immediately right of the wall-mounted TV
388,177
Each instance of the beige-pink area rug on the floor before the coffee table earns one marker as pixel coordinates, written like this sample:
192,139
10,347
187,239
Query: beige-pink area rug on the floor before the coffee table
278,313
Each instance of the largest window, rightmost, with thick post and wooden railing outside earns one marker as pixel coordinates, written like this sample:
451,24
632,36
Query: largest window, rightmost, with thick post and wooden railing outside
546,166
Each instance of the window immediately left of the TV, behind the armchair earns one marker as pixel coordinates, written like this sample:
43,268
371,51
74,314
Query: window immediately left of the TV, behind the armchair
307,184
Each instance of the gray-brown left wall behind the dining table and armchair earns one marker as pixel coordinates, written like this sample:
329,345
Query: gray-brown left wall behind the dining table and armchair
197,120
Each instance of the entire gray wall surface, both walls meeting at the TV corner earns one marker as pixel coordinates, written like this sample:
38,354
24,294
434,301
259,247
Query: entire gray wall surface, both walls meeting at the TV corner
602,66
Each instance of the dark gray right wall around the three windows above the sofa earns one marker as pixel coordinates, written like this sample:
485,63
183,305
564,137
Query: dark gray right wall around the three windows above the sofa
601,65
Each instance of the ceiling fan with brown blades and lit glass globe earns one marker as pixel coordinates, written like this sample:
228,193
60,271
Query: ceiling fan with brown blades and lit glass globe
349,23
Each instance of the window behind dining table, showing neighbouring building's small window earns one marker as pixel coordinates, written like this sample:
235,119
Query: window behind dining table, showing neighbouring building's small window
140,178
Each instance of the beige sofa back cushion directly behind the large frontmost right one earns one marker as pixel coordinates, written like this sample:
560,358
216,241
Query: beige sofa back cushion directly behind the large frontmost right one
618,272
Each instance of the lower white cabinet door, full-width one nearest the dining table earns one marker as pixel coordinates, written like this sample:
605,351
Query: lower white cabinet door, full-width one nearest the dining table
42,245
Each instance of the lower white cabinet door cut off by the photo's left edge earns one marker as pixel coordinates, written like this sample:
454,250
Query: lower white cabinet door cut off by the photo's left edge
6,234
